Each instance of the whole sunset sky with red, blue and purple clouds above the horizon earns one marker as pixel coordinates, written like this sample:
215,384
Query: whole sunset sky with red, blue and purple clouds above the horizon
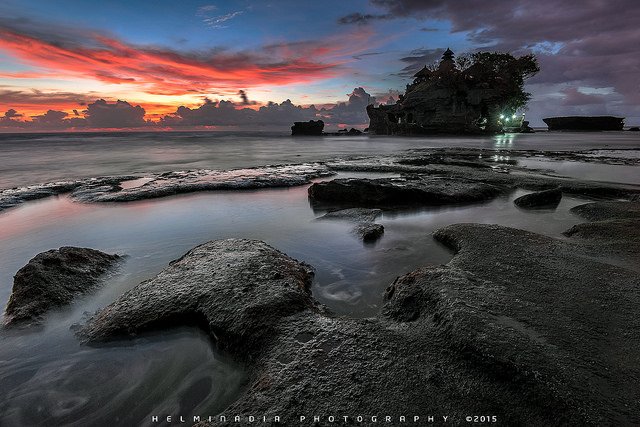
78,65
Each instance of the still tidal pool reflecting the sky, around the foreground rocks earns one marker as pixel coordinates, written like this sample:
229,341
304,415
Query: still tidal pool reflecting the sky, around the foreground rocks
49,379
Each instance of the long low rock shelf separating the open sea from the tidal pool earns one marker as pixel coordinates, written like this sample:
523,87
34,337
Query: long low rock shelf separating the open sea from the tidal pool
436,176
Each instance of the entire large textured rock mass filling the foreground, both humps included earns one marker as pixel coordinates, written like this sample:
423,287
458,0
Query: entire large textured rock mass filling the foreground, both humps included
525,327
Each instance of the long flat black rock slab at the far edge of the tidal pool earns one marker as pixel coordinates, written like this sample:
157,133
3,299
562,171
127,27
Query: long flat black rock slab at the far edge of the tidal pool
421,190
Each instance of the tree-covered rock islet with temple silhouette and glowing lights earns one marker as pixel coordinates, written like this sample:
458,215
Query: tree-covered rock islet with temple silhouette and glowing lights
479,94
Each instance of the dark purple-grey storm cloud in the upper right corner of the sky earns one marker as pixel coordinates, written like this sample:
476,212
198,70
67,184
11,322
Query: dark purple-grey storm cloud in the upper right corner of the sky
590,43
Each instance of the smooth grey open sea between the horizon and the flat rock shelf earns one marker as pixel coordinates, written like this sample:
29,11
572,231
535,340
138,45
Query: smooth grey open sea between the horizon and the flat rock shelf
33,159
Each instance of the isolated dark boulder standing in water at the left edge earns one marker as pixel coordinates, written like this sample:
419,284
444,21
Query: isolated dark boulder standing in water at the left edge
54,279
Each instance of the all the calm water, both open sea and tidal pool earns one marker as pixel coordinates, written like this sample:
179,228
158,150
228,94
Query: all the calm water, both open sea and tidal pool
47,378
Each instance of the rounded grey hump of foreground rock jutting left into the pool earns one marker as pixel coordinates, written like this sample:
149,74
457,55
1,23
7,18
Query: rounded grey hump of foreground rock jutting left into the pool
207,287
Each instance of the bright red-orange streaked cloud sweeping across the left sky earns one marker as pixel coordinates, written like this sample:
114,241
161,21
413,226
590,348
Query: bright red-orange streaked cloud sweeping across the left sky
167,72
